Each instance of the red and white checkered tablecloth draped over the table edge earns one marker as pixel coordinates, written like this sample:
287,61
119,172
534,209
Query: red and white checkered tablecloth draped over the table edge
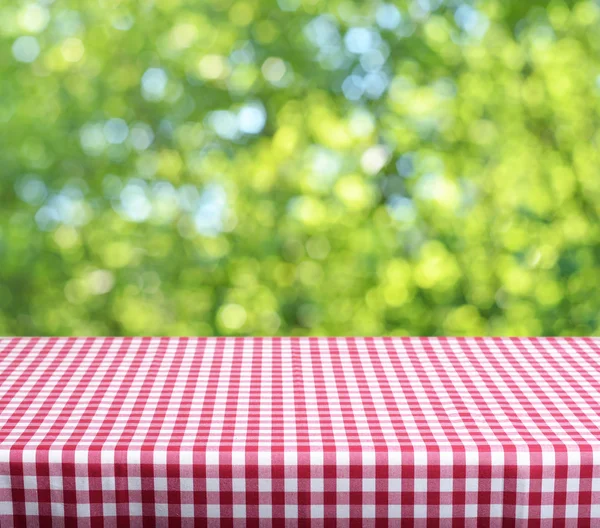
299,431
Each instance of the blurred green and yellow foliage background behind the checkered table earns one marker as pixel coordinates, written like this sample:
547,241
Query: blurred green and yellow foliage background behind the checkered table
299,167
